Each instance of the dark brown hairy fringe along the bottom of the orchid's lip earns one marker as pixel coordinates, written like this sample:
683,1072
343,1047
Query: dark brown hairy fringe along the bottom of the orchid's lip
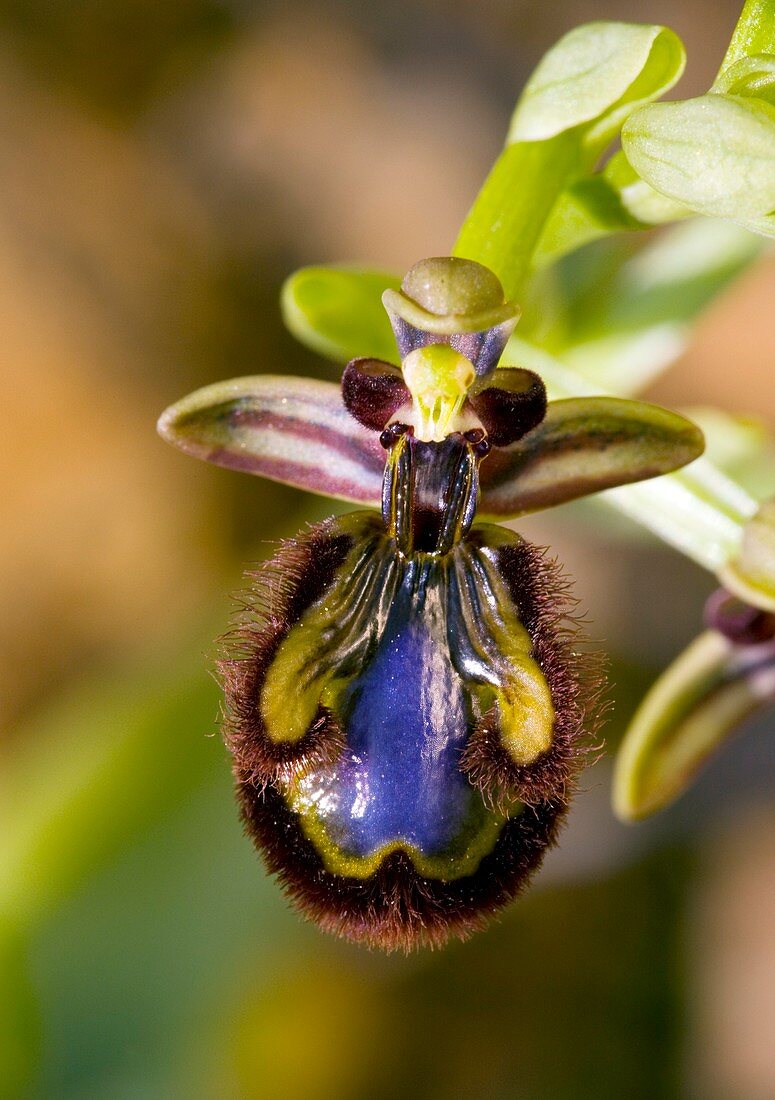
396,909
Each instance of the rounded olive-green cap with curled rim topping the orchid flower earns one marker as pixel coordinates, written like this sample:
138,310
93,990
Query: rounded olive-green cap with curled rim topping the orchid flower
446,295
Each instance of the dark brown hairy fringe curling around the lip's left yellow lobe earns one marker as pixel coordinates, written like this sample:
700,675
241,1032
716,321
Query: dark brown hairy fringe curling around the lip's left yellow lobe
279,595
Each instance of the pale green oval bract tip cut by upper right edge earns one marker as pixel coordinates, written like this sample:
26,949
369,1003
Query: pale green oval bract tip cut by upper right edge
715,155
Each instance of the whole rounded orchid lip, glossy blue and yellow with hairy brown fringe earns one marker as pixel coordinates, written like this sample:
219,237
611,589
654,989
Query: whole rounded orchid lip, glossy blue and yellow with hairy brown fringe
356,681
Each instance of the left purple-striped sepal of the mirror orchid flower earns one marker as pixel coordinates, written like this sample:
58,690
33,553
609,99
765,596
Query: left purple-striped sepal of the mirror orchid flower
292,431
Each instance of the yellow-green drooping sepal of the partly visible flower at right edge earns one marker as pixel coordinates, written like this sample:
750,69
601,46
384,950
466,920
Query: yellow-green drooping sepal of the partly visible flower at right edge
691,712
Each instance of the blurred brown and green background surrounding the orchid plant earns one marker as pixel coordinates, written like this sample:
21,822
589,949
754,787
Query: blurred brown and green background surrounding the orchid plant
163,168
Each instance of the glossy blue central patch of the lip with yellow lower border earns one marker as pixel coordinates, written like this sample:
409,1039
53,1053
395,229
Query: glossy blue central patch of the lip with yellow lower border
400,785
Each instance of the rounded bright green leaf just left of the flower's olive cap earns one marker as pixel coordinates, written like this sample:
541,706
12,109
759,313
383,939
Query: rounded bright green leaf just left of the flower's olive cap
339,312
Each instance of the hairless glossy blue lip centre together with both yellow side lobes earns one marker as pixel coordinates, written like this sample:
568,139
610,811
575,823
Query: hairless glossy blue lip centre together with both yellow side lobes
407,654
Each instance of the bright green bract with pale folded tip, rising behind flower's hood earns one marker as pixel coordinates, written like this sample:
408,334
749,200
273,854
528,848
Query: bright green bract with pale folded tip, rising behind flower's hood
570,112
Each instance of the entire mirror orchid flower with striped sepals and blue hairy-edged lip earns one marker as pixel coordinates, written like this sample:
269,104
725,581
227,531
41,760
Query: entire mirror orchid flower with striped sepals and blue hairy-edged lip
408,703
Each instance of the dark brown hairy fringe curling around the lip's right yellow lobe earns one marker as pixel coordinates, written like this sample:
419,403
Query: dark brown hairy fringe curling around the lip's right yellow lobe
575,676
